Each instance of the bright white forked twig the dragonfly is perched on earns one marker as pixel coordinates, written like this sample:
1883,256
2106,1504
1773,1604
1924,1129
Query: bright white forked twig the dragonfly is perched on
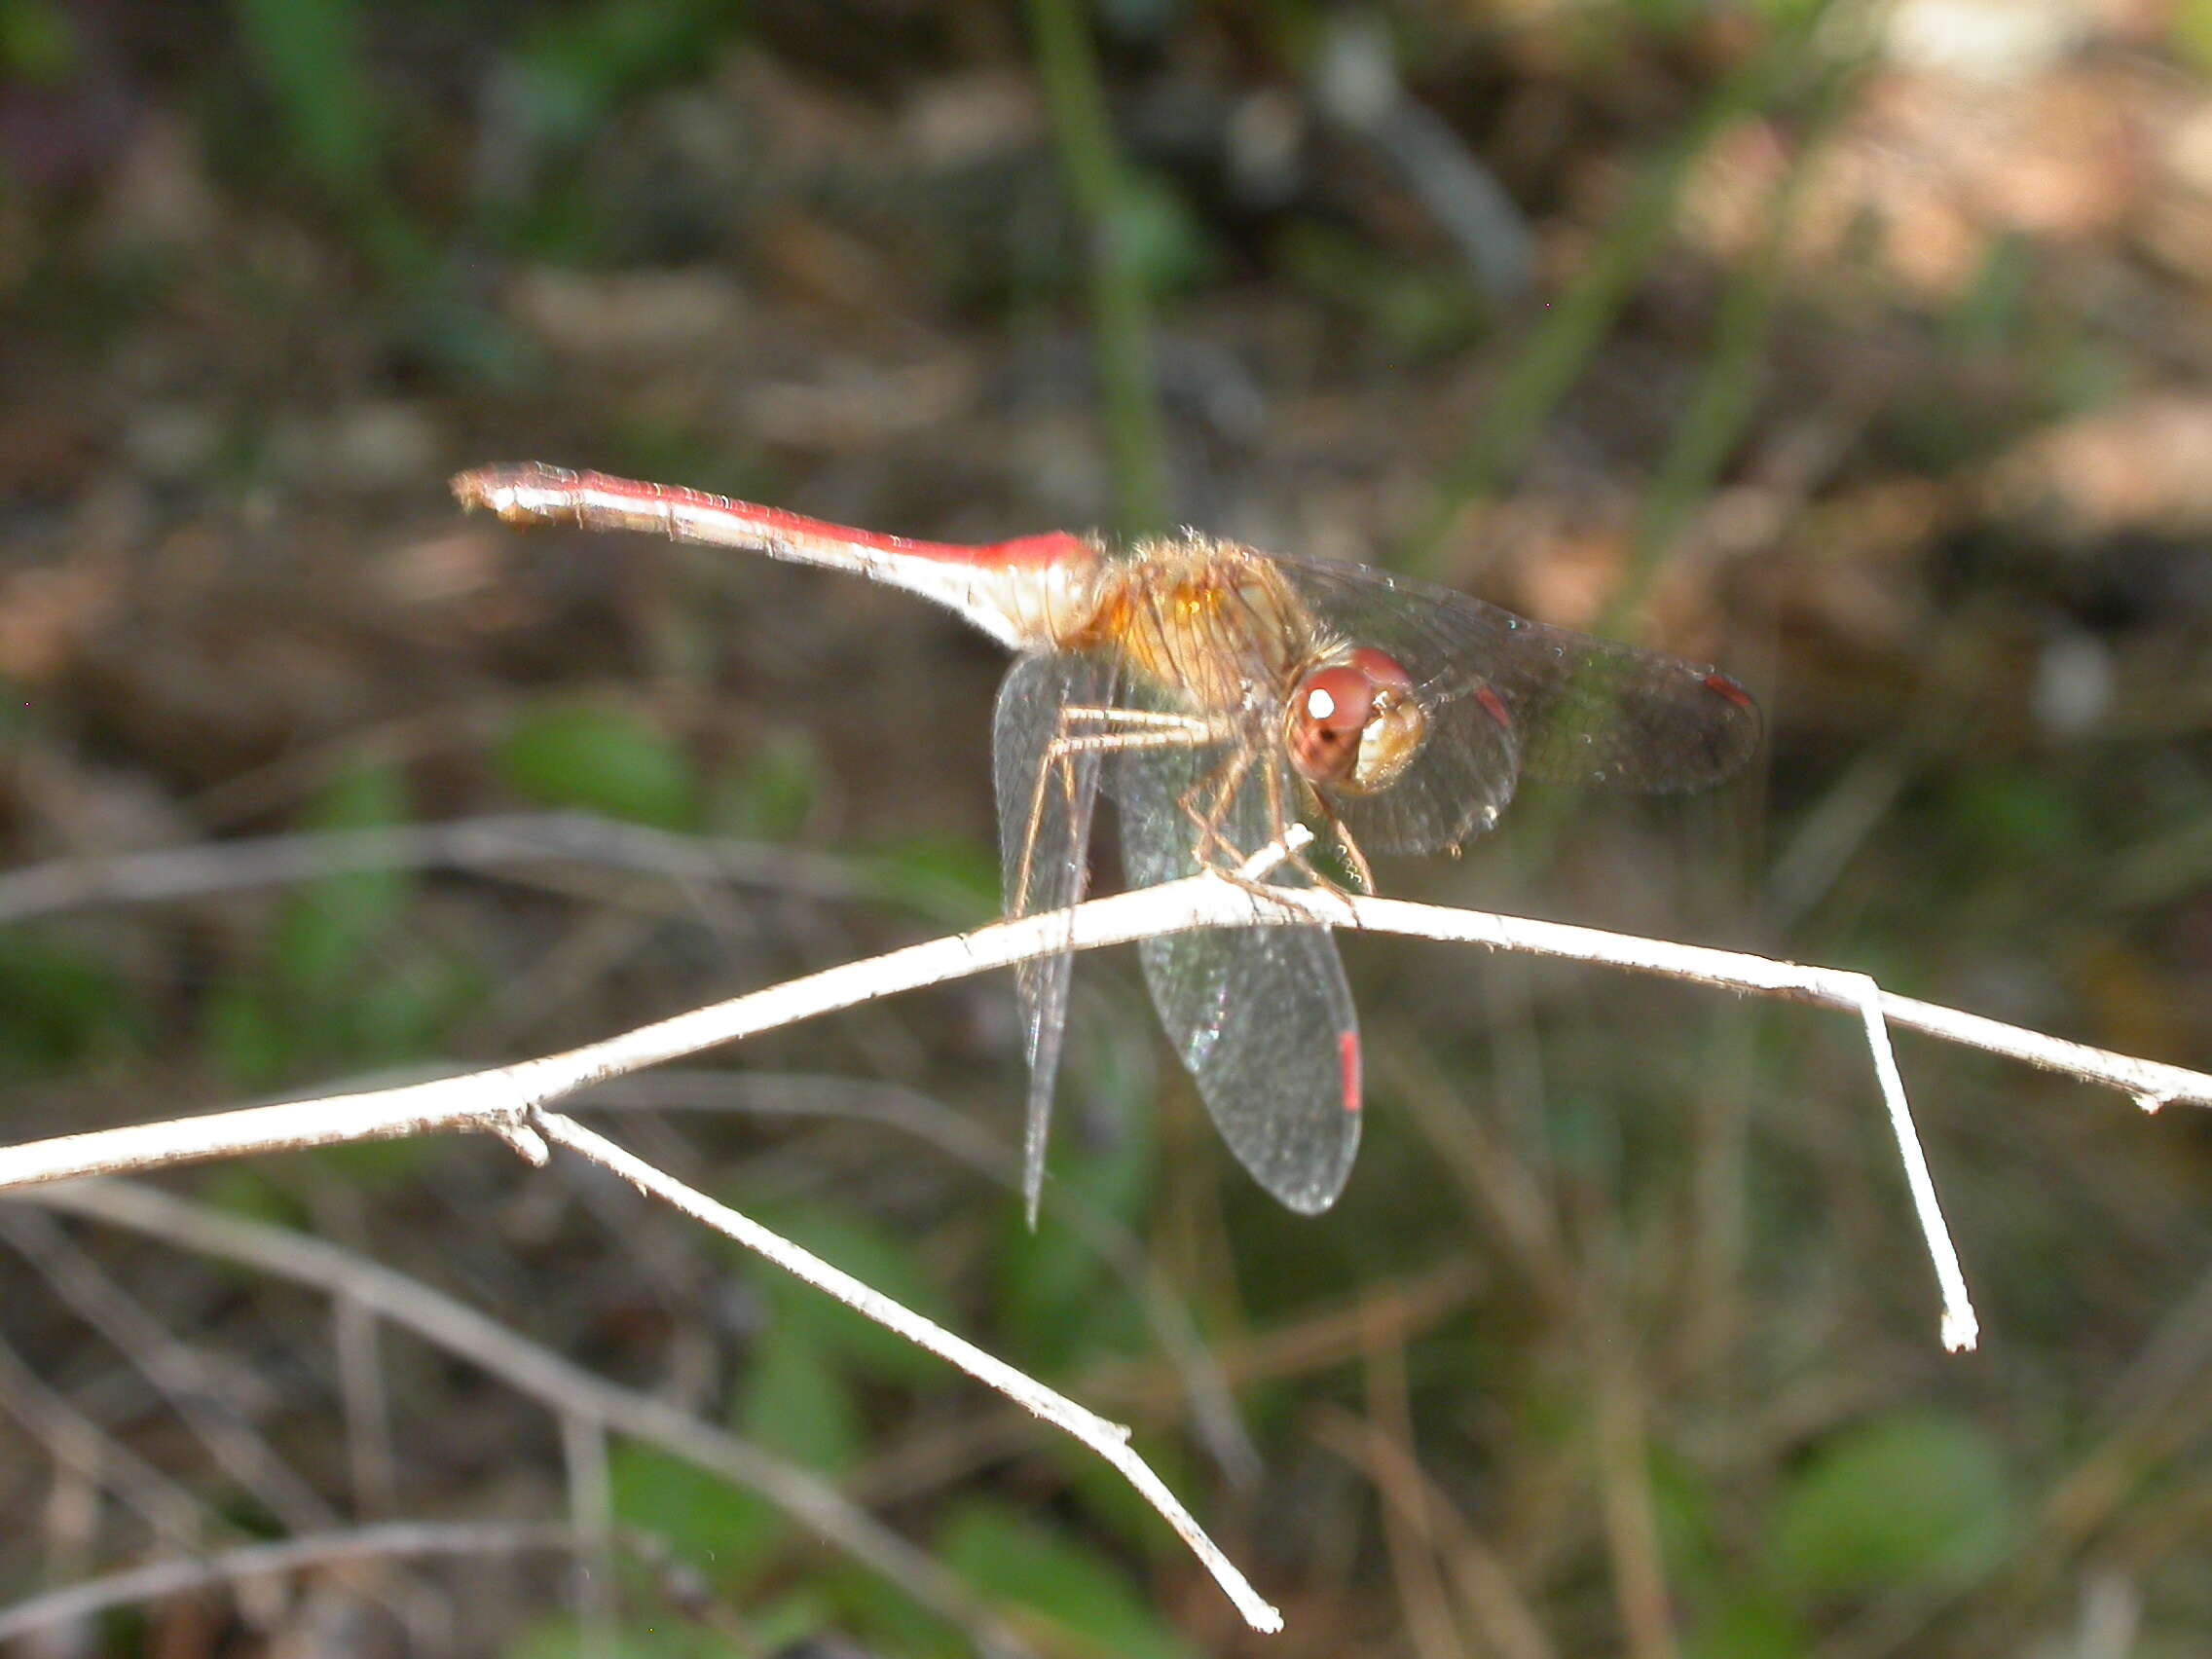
510,1100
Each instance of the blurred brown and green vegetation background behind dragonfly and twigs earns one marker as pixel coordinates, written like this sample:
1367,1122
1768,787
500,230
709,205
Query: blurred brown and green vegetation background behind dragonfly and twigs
1859,348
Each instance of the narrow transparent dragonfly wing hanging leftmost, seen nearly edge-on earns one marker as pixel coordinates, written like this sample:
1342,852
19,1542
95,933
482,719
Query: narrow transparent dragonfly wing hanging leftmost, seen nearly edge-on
1045,804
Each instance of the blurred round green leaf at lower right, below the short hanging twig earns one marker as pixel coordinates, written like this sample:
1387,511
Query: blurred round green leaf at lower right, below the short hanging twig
1908,1501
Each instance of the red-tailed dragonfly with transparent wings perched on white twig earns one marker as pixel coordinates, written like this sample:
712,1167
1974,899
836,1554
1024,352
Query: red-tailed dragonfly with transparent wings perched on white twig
1224,698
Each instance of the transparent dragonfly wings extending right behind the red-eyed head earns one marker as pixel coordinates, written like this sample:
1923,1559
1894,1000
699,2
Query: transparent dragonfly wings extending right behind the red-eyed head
1510,698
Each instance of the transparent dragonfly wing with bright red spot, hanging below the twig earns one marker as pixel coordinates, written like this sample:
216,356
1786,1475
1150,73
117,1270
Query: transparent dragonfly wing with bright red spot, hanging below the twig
1262,1016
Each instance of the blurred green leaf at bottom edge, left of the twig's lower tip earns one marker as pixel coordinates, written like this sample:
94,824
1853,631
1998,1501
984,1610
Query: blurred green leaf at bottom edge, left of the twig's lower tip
1081,1594
